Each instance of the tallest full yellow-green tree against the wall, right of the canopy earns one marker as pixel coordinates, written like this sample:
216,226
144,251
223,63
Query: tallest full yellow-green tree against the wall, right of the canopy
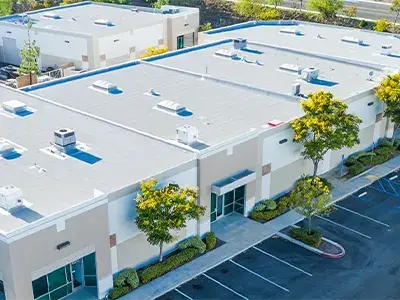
325,126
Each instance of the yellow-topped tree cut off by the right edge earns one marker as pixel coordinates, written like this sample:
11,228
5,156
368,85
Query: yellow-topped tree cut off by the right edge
389,93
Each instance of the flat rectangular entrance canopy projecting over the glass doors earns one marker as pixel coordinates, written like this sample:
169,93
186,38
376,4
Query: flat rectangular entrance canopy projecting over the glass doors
230,183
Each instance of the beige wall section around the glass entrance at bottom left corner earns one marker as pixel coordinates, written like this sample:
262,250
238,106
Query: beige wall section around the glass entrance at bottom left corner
37,253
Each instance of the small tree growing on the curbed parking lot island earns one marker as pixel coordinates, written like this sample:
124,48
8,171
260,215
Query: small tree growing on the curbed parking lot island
310,198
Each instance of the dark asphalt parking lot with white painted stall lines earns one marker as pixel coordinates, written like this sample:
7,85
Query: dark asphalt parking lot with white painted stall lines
366,224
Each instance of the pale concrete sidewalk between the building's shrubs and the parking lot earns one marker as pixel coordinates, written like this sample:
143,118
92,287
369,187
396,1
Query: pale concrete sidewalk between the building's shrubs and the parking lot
241,233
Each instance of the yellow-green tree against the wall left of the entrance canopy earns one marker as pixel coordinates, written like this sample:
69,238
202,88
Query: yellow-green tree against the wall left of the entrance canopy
159,211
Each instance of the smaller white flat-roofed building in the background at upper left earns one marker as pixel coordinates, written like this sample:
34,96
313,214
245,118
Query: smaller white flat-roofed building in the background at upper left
91,35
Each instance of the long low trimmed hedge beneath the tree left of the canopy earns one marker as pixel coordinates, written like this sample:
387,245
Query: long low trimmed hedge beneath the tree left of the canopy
172,262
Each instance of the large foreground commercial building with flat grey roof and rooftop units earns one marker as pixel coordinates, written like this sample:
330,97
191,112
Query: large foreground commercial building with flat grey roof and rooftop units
215,116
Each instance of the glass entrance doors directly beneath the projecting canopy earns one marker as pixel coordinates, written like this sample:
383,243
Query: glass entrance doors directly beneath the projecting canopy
228,203
